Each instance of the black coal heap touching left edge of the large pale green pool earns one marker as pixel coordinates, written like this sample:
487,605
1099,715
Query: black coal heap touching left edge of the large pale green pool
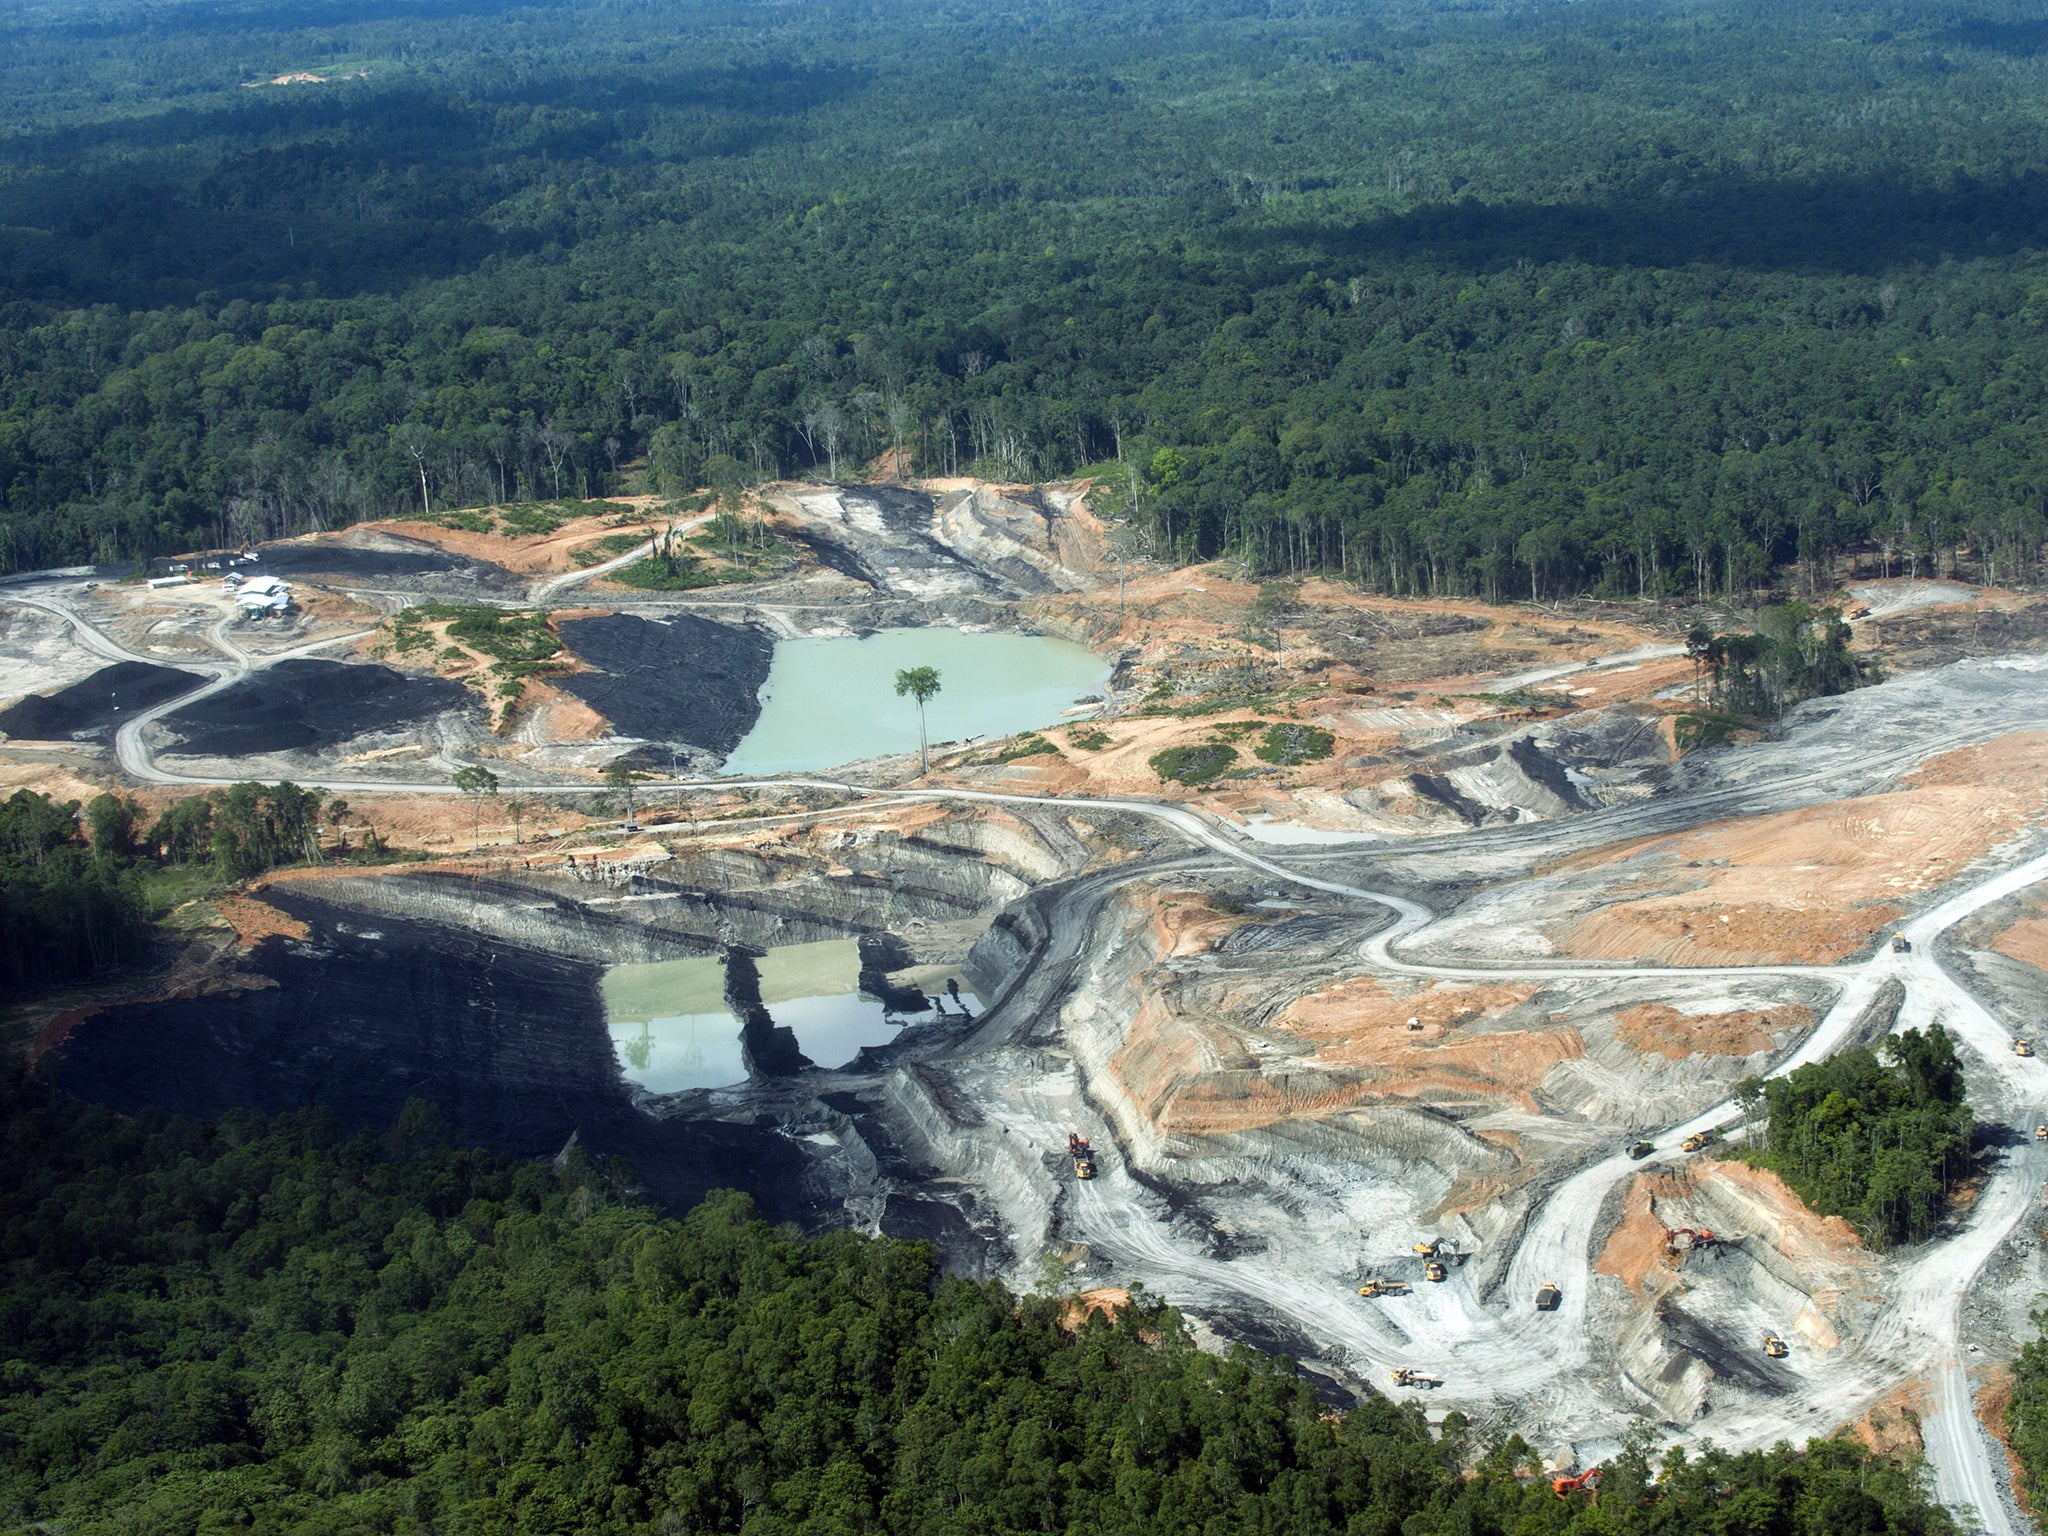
679,679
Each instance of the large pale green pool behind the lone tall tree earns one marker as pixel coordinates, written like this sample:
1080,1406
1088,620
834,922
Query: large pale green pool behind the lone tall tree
833,701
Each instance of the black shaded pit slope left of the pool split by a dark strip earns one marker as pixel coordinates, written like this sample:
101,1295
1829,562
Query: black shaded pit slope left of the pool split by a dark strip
507,1043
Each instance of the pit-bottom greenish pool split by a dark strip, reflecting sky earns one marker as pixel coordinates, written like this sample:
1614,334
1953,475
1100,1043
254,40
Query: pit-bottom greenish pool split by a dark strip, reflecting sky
673,1031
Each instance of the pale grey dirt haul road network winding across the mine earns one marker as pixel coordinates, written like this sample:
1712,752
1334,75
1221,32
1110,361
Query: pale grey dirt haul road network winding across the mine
1490,1353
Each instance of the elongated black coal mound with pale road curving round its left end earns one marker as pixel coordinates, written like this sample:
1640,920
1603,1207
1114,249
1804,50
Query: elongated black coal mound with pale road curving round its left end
306,703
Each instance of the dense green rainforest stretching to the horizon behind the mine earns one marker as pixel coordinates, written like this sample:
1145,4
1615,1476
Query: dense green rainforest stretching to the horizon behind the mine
1519,300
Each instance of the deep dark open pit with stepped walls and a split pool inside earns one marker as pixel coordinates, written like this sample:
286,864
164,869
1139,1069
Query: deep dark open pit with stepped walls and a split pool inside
558,1000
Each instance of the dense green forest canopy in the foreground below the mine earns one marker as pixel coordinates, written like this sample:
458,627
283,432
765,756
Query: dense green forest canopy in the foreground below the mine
271,1328
